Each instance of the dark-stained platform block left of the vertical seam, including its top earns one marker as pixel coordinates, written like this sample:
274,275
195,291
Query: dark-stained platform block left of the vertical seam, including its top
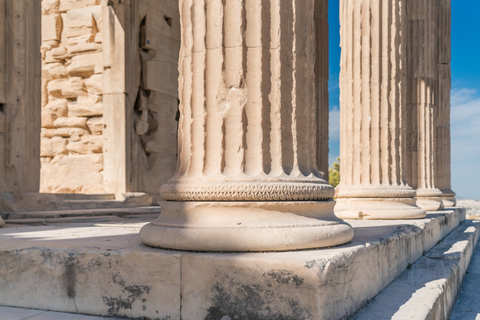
97,275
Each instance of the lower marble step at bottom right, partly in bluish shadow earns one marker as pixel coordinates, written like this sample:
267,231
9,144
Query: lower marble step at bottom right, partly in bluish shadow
429,287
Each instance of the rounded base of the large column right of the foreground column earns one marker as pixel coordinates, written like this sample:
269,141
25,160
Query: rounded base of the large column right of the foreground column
378,209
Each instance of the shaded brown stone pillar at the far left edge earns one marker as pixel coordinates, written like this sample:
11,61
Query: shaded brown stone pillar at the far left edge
20,85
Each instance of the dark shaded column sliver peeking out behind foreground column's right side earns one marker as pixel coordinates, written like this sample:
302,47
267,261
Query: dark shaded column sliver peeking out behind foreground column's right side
321,75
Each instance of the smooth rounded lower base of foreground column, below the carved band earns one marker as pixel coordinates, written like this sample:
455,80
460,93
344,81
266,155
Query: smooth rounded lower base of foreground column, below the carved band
246,226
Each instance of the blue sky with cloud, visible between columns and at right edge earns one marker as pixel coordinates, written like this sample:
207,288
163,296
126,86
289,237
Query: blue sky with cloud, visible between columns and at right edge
465,112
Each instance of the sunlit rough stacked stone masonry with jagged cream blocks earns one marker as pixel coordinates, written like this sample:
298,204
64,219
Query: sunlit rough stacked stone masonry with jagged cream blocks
72,109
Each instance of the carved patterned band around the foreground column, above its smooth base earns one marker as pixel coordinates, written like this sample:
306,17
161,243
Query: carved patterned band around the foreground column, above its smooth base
247,191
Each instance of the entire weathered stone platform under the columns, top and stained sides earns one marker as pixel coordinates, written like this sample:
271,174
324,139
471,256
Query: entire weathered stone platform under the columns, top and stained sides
104,269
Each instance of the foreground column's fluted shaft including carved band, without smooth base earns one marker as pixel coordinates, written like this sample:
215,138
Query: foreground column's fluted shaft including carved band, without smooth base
247,95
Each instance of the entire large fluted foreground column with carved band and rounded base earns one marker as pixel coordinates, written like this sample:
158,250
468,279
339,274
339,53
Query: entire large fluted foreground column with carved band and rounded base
247,176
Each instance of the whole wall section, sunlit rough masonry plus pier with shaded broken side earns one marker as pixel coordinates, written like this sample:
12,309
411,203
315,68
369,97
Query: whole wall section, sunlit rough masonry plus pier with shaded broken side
106,87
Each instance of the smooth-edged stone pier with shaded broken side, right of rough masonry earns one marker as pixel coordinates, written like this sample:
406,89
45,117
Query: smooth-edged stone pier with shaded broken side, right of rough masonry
141,47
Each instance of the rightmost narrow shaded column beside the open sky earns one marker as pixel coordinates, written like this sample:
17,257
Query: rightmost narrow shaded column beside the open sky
442,119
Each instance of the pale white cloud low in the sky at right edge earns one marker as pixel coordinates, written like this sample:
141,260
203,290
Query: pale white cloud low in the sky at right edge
465,132
